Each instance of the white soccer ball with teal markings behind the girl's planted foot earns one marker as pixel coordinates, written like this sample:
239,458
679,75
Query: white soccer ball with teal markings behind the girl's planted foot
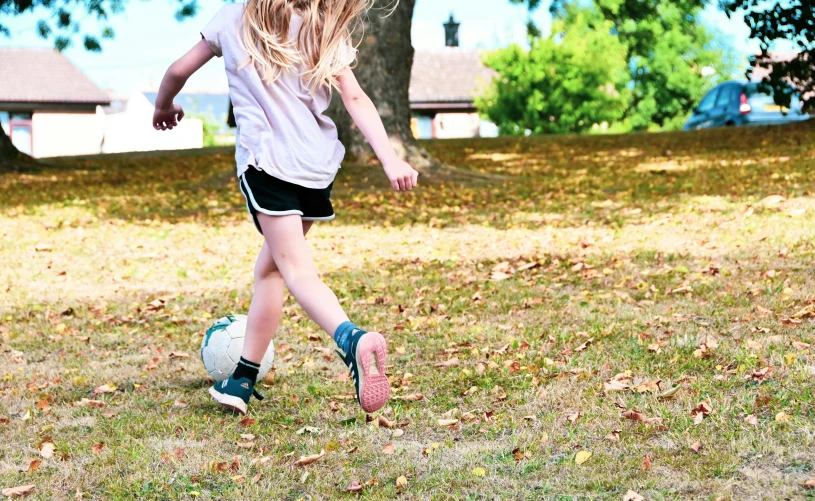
222,346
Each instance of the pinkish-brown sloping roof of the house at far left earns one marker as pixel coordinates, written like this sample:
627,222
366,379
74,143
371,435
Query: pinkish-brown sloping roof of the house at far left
45,76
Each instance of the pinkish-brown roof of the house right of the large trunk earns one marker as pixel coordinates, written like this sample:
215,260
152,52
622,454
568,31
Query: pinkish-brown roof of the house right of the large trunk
448,75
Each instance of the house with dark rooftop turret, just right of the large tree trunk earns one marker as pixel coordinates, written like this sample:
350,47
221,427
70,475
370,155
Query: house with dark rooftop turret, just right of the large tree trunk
443,87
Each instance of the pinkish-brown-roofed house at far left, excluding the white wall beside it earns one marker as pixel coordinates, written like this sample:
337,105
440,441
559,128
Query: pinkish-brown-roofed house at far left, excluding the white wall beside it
47,106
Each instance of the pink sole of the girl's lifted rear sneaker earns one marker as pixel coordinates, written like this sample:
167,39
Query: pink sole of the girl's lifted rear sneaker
374,389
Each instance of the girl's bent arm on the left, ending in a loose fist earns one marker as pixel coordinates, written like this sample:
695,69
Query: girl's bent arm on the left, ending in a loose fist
167,115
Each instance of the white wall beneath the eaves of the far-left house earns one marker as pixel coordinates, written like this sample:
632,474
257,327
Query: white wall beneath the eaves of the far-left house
63,133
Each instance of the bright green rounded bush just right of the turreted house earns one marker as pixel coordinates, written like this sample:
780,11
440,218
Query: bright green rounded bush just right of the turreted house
557,85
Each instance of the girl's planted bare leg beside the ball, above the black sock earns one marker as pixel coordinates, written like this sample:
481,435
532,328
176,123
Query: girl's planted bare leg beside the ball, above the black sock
267,304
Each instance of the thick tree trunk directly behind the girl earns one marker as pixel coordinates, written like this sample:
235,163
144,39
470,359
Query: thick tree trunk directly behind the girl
383,70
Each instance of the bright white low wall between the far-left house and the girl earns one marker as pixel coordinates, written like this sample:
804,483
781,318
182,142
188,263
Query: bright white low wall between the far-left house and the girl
131,130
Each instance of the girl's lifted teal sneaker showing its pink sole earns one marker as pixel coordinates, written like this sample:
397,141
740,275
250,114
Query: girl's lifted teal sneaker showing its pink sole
370,381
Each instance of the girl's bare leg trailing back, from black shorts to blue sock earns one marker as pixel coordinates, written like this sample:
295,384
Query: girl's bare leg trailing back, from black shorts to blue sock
292,257
